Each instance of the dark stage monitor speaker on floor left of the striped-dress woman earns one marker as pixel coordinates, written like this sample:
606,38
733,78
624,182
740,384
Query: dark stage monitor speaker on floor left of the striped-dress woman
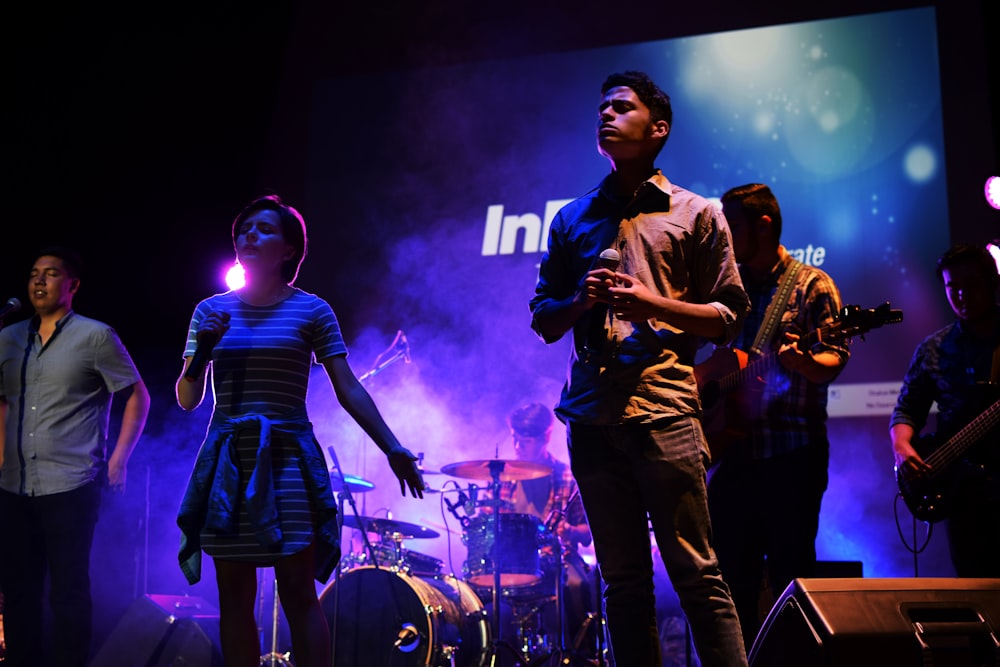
164,631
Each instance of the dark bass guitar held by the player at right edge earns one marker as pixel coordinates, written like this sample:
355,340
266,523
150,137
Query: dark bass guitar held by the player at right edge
927,496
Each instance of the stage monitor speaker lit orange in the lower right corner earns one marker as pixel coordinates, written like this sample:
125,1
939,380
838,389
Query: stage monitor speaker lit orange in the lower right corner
882,622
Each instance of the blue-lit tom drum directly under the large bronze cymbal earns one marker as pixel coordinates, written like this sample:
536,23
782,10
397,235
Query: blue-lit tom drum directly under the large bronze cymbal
517,555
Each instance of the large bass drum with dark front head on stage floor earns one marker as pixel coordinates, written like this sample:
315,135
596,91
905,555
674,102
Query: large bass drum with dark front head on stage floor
386,618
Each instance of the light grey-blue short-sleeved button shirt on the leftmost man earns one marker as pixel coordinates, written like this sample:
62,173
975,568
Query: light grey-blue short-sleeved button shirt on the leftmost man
59,399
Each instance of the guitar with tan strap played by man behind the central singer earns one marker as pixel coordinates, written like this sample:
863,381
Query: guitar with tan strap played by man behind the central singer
731,384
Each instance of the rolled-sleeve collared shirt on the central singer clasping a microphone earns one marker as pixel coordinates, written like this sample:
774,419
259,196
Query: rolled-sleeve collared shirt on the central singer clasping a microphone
679,246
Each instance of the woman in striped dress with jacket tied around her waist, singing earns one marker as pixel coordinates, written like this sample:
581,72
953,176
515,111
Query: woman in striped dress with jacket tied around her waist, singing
259,494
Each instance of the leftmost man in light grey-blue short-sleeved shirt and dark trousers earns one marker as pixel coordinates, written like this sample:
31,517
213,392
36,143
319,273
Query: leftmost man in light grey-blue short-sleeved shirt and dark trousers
59,372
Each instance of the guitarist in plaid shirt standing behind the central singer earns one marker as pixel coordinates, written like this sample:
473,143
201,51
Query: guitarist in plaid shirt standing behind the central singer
765,493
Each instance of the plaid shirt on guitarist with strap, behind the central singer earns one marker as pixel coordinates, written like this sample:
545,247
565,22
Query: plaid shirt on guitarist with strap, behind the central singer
793,409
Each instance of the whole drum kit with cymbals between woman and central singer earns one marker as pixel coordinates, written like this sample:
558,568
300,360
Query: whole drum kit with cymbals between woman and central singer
390,605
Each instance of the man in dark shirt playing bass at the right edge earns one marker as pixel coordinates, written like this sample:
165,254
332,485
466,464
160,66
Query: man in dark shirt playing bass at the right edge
954,367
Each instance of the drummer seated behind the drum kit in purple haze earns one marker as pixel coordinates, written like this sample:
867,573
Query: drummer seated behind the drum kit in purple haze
553,499
